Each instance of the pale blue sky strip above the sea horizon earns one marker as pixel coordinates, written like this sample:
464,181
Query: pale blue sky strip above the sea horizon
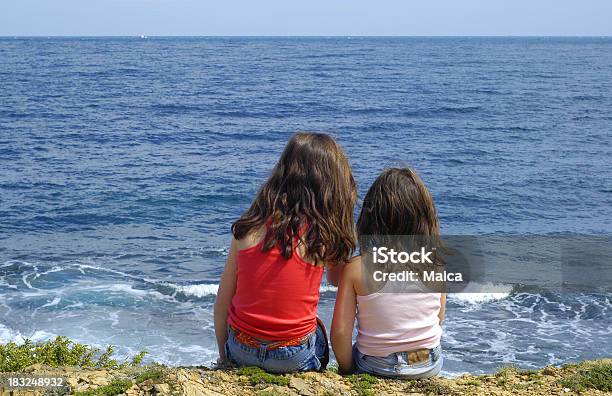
306,17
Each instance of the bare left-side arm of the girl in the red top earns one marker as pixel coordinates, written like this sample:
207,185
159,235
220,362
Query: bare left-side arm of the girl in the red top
227,288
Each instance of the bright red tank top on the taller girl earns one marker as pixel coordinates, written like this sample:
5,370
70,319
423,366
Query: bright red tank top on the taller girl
276,298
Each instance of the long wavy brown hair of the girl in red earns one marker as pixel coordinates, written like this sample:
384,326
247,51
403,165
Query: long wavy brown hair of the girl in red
310,195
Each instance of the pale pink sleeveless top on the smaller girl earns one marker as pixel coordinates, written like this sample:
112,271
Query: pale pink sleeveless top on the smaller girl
397,322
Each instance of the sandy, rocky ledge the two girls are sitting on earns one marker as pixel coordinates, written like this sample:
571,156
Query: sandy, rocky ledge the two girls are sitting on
586,378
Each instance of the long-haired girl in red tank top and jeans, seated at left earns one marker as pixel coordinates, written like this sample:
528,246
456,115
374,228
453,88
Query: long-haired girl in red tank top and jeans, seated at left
300,221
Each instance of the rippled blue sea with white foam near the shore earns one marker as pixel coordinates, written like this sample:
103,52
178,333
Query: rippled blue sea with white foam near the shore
124,161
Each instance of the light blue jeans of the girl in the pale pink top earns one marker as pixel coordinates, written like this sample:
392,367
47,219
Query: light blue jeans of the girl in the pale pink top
396,364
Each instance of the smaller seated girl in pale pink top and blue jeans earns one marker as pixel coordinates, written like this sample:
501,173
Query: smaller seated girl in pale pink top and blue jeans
398,329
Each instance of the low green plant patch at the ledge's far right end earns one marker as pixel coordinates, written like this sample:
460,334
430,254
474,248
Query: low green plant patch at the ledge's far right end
589,375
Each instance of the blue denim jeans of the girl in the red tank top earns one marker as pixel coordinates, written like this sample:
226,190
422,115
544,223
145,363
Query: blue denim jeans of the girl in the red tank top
305,357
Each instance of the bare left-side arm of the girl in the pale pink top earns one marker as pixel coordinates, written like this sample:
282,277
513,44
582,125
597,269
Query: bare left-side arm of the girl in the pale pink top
344,320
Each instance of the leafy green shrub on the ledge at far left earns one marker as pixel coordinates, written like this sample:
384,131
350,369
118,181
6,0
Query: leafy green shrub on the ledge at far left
60,352
